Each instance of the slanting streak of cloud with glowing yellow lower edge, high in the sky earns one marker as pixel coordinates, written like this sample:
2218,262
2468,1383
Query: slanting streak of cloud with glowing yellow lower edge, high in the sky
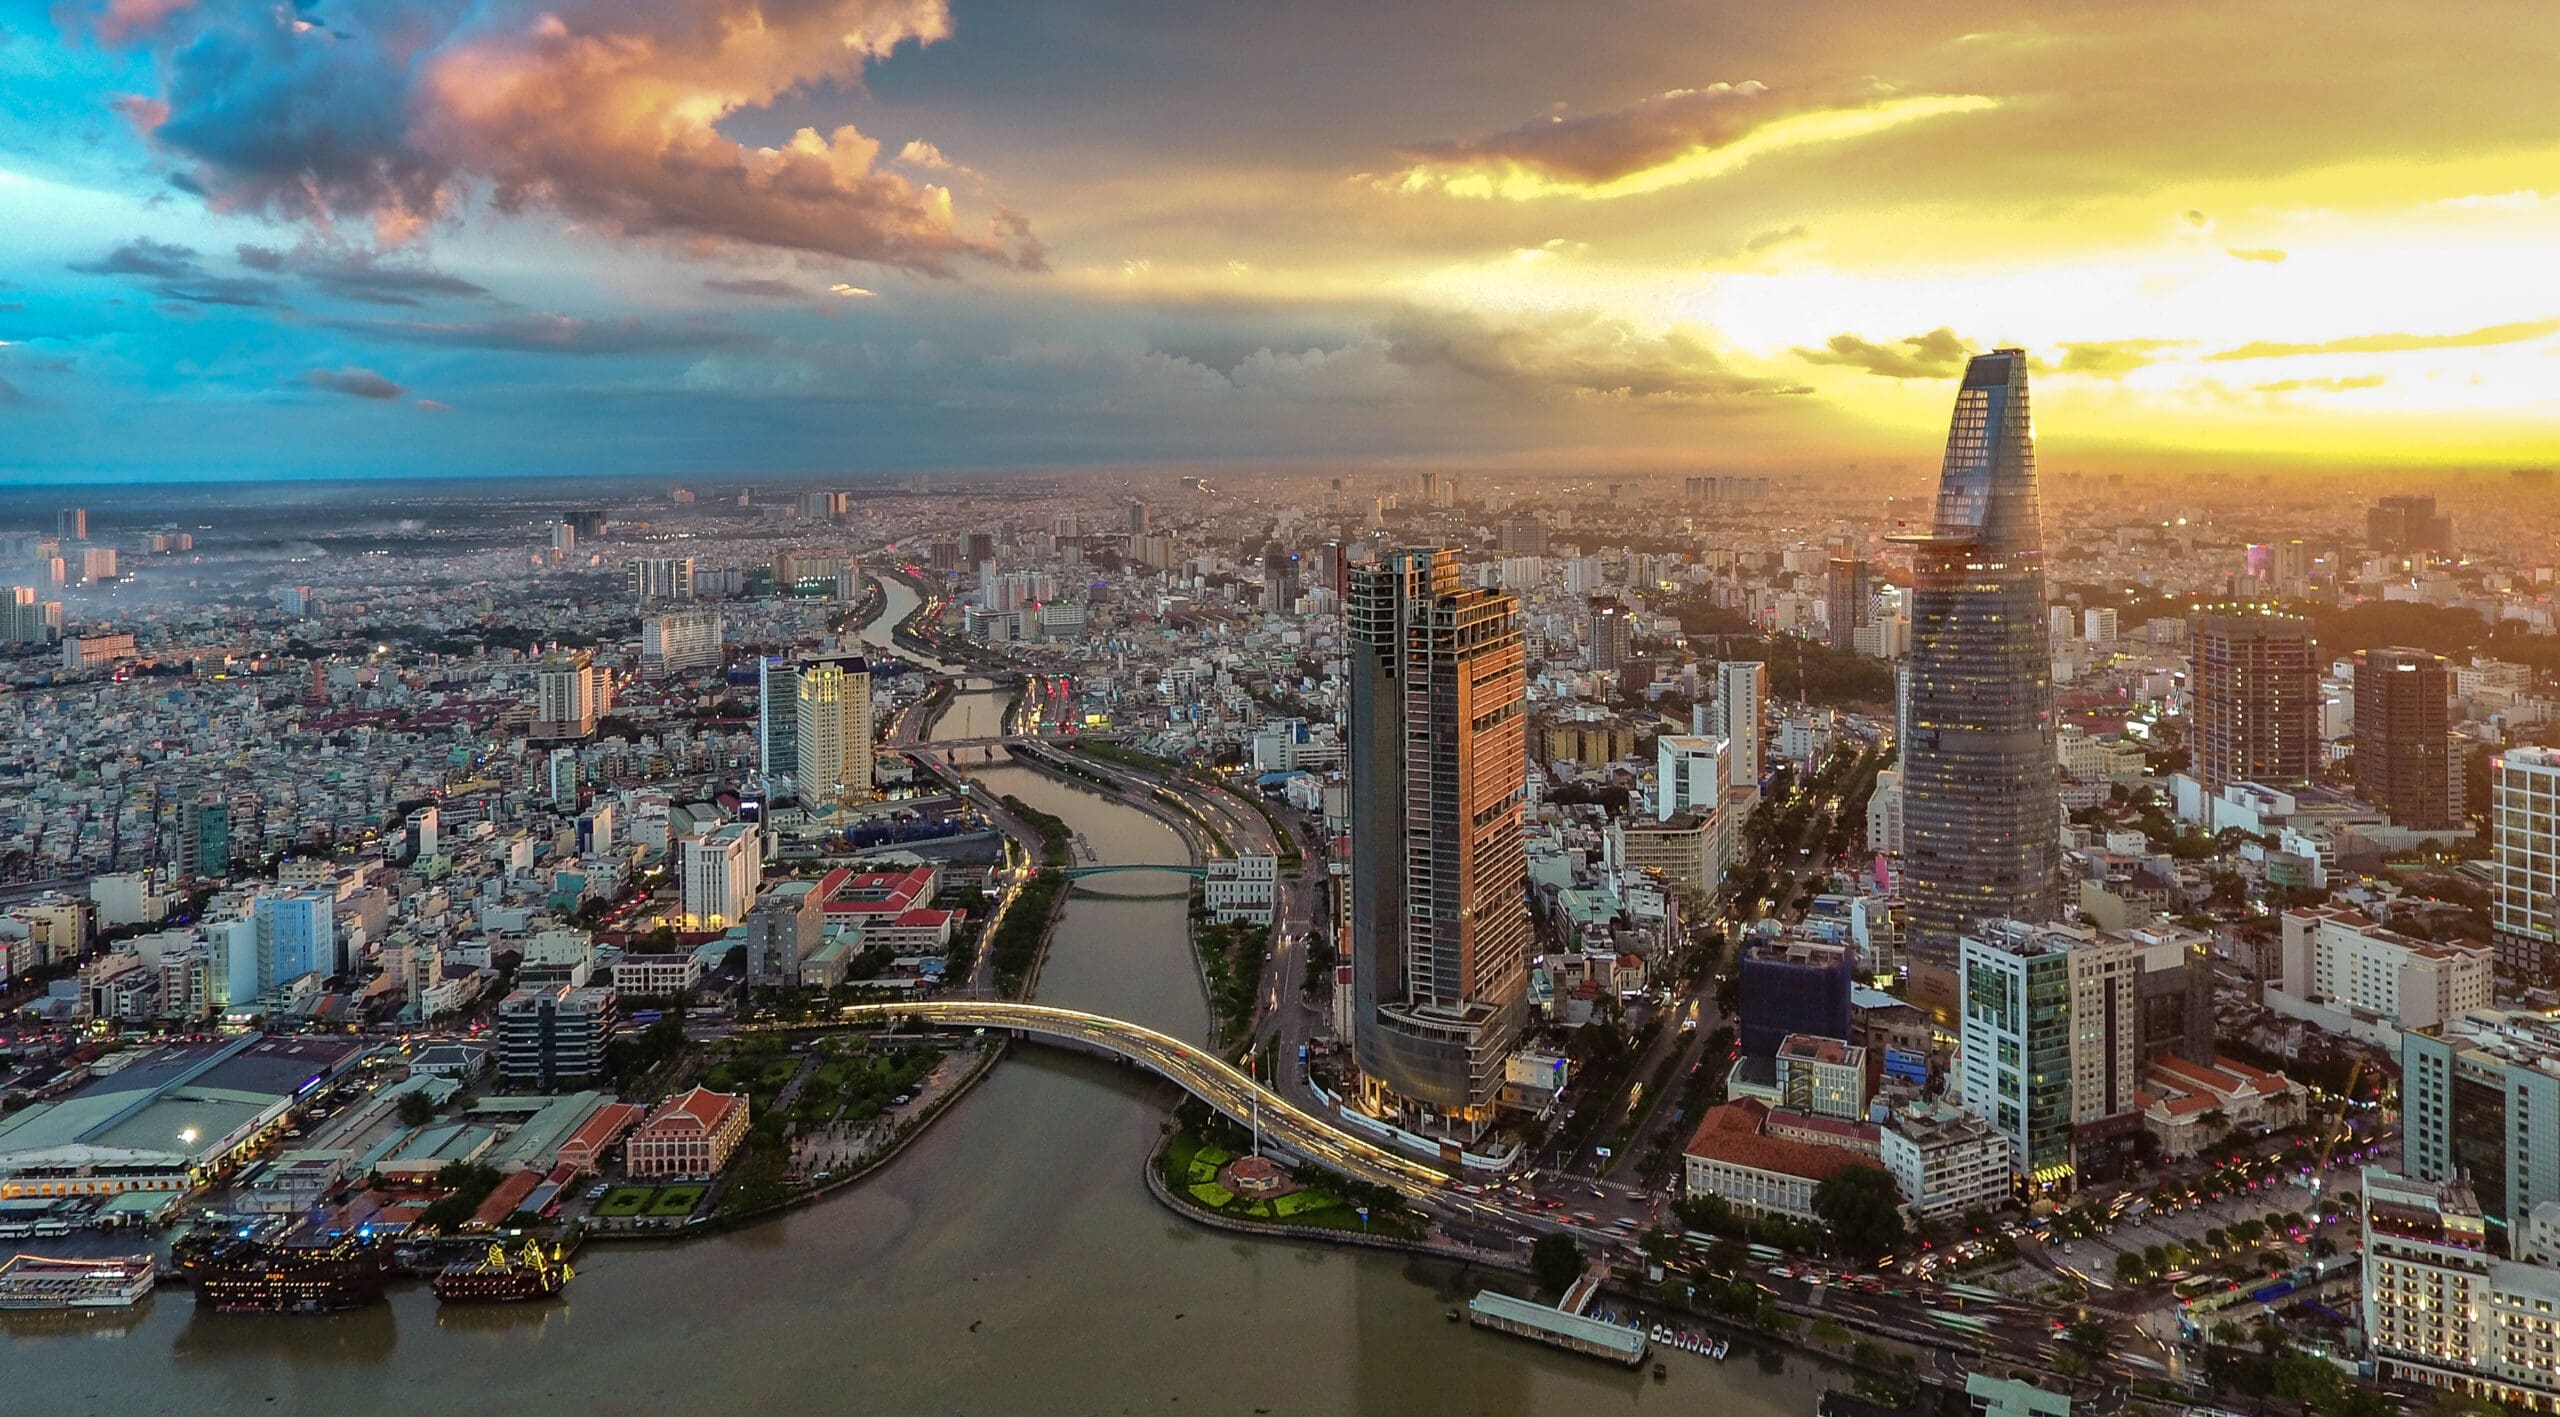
1663,142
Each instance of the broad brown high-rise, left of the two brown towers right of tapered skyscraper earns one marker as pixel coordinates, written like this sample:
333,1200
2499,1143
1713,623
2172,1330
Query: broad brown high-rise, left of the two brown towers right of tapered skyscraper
2257,700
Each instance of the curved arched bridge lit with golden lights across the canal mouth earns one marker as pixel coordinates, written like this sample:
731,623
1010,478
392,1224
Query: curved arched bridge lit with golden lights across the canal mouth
1197,1070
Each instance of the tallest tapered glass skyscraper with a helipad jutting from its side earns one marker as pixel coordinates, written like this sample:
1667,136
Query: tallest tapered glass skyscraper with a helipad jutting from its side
1980,810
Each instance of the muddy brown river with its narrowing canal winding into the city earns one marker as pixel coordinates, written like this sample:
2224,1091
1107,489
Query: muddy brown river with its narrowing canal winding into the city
1007,1262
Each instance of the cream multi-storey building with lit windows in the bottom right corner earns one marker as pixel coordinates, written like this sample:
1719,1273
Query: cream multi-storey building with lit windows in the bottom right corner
2441,1308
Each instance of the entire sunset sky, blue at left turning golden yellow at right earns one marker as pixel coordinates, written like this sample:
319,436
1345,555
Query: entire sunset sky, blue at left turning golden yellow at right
785,237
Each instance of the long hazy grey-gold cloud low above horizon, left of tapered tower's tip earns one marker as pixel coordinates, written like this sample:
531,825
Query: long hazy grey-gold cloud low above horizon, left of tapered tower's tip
1568,354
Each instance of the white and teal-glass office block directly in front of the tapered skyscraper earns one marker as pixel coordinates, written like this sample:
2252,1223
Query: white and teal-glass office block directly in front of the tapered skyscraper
2049,1042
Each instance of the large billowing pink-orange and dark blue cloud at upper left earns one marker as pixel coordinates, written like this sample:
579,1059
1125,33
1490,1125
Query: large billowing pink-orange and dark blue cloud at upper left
603,111
